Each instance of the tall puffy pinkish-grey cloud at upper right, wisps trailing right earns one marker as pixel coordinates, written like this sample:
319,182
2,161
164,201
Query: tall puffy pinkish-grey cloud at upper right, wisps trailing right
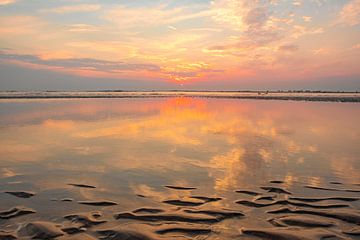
262,28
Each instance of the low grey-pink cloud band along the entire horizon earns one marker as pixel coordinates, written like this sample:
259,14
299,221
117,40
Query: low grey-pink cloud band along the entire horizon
14,77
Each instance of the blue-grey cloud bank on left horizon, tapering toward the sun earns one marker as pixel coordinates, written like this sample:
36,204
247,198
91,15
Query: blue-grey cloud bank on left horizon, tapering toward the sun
17,77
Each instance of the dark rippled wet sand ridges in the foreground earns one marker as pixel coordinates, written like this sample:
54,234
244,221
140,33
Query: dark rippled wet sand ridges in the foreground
285,215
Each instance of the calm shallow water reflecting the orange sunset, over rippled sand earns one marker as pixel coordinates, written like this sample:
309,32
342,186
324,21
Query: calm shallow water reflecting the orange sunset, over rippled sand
145,153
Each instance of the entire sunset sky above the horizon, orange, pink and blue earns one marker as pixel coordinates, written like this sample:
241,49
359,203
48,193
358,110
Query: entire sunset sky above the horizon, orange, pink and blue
180,44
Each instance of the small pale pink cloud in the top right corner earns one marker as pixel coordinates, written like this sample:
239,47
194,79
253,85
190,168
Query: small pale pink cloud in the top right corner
350,13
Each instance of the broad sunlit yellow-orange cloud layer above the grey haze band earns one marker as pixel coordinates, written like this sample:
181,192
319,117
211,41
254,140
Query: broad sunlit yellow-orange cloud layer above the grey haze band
248,39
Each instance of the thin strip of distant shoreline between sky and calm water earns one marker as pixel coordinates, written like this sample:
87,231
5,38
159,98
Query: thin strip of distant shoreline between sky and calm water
292,96
